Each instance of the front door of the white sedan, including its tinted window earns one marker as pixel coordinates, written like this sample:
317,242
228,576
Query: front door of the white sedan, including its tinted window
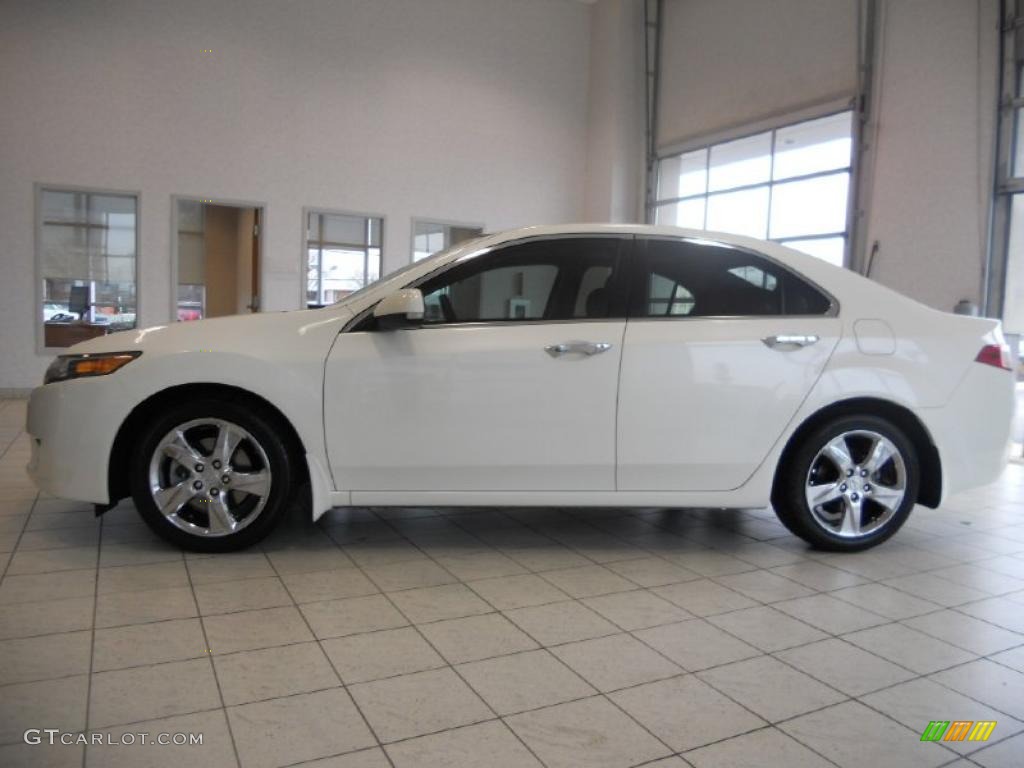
509,385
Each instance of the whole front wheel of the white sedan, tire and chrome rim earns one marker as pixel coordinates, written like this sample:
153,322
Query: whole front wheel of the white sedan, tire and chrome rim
212,476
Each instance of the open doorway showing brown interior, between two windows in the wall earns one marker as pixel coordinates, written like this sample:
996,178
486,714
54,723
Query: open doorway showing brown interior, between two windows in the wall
219,259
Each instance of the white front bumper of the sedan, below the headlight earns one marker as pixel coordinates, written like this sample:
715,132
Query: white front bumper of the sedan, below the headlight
72,426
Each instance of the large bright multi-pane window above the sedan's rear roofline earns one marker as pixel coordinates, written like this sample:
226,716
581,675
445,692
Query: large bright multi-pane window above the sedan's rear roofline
790,185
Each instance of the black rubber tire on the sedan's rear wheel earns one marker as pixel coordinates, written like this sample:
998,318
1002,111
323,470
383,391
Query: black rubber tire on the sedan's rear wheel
790,497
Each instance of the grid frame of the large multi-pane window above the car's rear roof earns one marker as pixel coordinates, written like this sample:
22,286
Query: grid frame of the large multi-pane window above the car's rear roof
708,143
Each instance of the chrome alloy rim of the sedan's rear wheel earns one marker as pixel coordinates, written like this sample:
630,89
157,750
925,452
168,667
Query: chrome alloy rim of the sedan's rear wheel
857,484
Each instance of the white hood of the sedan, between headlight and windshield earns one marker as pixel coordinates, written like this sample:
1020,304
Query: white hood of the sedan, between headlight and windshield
235,333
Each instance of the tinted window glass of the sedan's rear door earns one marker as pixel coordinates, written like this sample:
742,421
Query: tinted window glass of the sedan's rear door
704,281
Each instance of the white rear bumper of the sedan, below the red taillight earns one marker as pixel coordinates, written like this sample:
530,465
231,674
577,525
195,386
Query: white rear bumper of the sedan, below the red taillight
973,431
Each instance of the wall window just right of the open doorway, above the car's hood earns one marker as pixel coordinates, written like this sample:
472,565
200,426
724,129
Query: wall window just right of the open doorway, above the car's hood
345,255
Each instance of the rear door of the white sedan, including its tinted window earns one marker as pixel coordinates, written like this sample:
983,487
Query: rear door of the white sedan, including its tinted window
721,348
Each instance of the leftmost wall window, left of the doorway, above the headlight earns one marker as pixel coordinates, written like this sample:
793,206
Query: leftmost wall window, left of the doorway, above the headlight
88,244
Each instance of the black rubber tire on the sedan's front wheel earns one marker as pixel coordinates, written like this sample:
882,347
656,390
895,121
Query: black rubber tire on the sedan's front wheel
264,428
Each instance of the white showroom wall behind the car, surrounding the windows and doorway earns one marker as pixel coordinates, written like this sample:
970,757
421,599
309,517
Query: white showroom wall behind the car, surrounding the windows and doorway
499,112
